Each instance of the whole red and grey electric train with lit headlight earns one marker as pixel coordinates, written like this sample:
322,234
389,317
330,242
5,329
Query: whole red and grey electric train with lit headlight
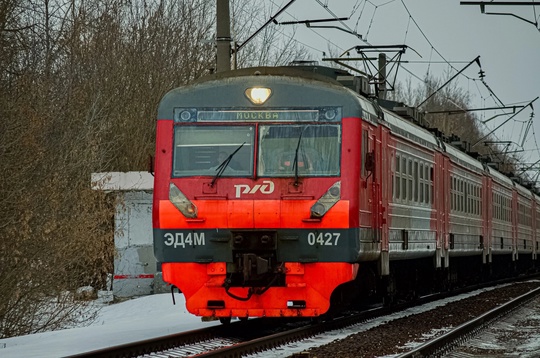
279,191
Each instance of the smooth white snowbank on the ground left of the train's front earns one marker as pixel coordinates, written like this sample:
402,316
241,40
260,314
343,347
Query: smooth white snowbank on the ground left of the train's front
128,321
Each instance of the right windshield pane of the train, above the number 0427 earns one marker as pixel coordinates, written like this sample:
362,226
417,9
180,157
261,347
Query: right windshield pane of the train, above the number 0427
304,150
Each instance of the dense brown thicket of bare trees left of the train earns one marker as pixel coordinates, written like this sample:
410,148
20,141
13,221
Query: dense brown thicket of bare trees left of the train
80,82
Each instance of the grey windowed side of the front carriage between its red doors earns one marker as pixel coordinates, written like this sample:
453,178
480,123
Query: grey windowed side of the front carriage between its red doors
412,227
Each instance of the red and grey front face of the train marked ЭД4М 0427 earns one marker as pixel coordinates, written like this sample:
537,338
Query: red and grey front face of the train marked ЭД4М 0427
275,236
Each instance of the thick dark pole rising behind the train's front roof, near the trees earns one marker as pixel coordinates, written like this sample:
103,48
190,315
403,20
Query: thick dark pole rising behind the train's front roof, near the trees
223,36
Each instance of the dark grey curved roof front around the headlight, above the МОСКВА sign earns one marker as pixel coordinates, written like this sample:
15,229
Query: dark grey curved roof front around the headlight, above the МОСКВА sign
292,86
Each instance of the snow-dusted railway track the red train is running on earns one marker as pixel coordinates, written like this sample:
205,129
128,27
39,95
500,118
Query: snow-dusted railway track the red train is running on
243,338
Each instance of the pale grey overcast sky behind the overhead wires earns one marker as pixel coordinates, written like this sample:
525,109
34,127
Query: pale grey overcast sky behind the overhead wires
440,31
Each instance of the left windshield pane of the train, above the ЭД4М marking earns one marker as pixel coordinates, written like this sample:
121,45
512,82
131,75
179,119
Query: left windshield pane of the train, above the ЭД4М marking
202,150
